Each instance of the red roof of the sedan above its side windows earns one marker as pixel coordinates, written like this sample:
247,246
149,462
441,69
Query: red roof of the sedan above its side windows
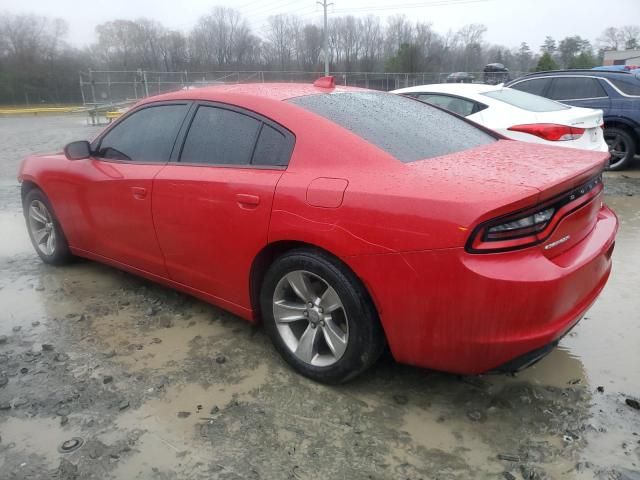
272,91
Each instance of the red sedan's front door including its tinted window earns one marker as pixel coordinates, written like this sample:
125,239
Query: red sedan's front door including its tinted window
113,187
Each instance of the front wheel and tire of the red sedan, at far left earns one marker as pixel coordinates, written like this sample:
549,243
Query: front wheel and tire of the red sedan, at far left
44,229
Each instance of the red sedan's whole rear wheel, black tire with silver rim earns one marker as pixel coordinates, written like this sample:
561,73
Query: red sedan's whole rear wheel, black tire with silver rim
319,316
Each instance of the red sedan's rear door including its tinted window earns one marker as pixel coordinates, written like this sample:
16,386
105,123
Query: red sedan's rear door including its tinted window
211,207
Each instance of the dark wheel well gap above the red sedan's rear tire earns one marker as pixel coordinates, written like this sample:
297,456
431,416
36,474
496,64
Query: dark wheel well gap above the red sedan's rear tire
269,254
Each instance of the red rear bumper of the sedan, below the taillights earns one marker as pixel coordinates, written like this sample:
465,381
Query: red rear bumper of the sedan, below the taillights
458,312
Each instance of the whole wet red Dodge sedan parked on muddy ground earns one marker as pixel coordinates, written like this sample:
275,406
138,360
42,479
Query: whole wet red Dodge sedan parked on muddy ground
343,219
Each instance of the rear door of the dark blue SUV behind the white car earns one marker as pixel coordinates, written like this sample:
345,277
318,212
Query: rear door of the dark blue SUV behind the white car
579,91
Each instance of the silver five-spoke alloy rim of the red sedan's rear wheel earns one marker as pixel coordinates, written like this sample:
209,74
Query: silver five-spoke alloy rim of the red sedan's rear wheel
310,318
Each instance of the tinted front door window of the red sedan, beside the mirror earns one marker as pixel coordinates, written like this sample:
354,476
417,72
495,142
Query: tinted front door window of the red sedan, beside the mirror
147,135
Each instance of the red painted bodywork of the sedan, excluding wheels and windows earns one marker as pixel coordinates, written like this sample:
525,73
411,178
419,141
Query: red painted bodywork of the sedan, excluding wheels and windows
414,232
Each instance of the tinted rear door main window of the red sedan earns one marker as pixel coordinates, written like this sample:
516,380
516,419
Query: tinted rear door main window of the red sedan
218,136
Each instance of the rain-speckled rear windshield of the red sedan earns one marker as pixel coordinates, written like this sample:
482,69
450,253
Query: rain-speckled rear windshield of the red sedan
409,130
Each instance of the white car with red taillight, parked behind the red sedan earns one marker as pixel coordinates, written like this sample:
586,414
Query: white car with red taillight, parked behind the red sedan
516,114
